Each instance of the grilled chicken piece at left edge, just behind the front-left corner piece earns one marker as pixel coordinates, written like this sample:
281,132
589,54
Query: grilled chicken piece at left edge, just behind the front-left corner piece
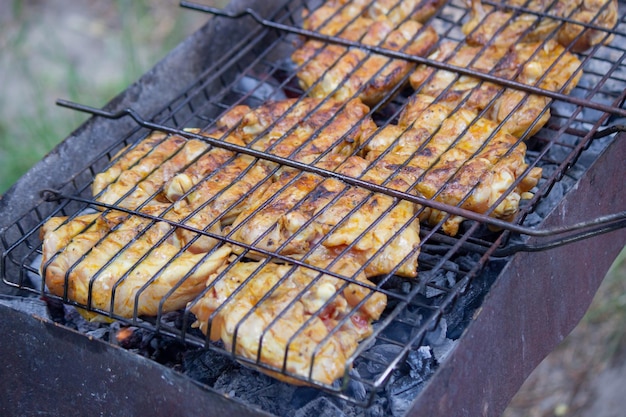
138,175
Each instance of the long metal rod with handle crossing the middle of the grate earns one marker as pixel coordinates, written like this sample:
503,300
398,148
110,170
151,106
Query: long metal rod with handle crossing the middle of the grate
559,236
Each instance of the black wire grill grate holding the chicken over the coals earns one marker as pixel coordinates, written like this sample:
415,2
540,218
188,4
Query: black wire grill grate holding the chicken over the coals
451,275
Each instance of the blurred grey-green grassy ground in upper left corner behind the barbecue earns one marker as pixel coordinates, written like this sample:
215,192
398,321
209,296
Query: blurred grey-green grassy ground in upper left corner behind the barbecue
80,50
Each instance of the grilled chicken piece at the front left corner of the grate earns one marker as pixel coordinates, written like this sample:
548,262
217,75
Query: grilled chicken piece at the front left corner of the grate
118,263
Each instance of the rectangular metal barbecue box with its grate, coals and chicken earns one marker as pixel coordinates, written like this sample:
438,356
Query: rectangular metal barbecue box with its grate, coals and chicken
323,208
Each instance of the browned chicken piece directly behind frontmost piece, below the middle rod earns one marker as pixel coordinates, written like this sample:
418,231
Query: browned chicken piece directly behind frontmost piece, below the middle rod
307,217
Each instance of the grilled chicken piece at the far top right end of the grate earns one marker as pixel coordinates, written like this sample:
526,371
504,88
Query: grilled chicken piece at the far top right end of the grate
509,27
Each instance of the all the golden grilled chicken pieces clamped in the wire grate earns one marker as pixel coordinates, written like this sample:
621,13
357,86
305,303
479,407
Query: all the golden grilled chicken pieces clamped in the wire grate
279,263
